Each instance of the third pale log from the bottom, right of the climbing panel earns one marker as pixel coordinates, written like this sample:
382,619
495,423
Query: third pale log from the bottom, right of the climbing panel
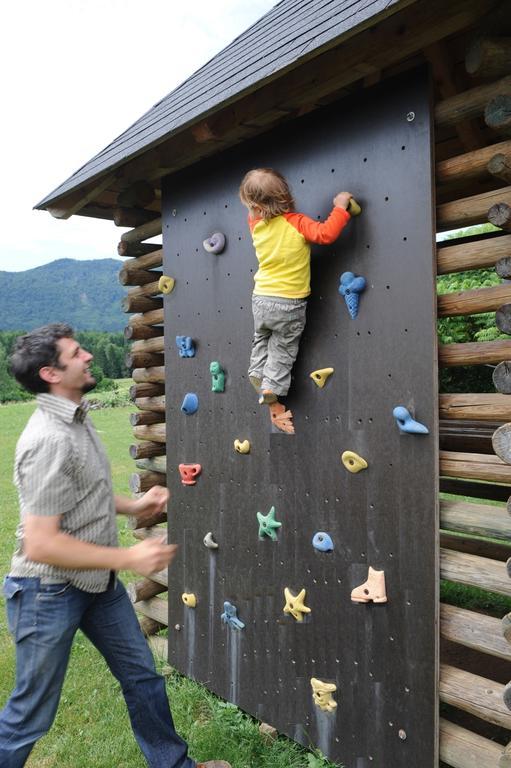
474,630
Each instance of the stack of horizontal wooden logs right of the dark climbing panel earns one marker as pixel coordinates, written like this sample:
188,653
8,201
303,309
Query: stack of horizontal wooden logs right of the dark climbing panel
479,473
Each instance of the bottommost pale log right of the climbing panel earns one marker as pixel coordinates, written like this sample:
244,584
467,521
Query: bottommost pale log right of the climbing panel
461,748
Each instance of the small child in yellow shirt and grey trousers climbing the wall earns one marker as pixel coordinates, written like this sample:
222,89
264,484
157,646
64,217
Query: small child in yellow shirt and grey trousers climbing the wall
282,241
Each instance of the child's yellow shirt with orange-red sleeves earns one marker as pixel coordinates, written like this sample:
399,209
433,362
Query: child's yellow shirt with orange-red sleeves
282,247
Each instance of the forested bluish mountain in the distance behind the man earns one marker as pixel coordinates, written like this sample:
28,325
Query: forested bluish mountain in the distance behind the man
85,294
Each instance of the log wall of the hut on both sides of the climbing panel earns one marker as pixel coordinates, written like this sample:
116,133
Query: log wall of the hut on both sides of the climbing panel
473,181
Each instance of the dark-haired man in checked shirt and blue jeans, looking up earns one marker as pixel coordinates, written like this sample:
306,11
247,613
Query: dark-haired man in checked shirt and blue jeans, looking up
63,574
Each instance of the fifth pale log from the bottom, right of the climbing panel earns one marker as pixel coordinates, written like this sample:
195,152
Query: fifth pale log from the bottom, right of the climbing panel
475,519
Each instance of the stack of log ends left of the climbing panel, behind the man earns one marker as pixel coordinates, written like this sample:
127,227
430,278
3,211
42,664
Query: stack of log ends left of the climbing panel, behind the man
141,274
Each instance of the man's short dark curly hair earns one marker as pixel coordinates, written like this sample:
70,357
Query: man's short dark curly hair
34,351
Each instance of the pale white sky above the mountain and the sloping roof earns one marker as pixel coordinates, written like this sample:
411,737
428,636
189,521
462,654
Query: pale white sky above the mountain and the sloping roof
74,76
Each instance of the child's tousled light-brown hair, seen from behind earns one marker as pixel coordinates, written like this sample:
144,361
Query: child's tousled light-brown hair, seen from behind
268,191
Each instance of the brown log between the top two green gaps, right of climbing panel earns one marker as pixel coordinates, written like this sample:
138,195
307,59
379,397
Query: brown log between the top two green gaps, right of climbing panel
474,255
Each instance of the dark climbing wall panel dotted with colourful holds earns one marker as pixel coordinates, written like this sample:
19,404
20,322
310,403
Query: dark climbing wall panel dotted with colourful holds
382,658
